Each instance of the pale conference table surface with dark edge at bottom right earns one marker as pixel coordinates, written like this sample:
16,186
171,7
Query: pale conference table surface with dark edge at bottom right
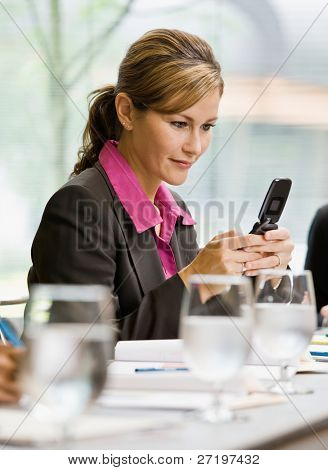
301,422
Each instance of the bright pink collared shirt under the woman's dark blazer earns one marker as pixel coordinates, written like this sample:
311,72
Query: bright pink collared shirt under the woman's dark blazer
140,209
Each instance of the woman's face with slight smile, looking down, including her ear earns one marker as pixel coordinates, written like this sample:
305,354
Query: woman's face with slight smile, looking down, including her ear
165,146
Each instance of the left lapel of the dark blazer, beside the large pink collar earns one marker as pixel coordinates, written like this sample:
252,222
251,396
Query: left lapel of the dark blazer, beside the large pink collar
141,246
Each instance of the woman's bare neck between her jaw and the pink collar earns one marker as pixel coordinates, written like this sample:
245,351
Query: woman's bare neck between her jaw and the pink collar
148,183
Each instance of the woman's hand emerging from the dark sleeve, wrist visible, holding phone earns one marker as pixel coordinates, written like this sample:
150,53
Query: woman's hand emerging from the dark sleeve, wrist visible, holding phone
223,255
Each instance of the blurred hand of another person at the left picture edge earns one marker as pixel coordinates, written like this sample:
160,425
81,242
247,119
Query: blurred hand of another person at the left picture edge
9,388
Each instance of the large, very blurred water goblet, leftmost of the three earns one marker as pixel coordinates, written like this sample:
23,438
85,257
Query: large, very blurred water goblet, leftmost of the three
69,339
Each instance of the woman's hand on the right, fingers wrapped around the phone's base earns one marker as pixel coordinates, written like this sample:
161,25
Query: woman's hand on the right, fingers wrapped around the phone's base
277,252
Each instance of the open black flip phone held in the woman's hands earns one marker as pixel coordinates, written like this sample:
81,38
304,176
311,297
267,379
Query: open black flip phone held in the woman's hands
273,206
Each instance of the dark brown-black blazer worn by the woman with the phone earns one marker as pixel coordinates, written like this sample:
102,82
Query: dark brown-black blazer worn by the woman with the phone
86,237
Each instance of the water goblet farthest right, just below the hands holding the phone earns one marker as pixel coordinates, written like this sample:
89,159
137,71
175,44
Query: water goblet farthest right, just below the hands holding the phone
285,319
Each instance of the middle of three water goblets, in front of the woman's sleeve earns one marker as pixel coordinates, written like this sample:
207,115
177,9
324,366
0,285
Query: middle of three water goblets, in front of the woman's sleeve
216,326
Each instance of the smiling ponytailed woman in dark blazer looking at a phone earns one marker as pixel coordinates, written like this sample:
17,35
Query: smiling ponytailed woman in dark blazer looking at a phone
115,222
